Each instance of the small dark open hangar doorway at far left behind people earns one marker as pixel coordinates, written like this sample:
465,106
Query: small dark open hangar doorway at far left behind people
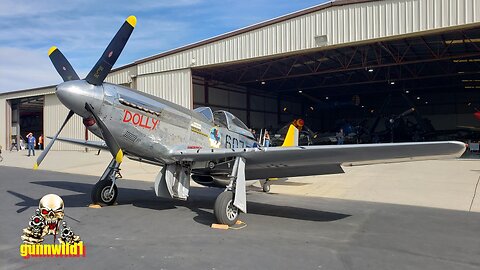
26,117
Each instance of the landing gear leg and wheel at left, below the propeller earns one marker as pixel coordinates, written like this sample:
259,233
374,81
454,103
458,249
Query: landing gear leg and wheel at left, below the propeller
105,190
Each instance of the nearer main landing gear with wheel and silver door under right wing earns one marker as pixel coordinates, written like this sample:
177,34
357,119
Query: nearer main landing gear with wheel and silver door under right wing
233,200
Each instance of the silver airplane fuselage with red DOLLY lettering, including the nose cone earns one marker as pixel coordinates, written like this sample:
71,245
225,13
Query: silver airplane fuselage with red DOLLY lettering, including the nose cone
147,126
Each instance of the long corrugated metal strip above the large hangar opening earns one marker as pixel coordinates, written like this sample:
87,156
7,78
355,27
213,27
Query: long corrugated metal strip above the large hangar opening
341,24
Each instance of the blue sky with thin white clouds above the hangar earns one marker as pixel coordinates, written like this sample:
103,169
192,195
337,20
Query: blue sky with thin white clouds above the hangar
82,30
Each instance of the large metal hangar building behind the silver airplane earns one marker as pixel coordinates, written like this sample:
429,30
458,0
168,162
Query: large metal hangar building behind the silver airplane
345,59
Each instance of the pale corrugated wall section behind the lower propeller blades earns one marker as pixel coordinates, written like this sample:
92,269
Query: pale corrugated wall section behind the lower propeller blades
54,114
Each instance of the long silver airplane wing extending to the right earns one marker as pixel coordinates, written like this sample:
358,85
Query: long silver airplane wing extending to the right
324,159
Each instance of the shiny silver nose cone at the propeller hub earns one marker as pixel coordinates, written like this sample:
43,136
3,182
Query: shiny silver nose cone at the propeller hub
74,95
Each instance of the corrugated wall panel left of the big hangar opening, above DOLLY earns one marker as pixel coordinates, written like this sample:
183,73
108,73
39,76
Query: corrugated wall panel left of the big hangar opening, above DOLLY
174,86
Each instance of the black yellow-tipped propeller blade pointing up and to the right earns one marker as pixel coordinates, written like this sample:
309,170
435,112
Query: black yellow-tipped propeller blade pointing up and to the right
101,69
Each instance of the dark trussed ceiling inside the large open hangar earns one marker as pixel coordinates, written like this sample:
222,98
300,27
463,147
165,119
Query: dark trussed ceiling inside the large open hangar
437,60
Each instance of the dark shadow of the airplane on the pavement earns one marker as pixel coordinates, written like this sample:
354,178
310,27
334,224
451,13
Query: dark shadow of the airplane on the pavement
200,198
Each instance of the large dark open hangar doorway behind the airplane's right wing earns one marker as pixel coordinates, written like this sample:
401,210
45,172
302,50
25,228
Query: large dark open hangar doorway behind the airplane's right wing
414,88
